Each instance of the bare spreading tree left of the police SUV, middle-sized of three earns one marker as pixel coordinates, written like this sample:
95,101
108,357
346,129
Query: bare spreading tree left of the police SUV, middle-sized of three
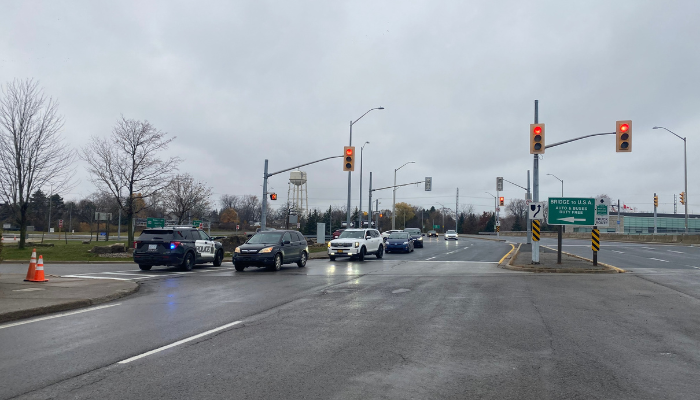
126,165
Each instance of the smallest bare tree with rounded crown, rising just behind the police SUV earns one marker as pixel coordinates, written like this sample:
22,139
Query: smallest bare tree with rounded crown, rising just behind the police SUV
184,194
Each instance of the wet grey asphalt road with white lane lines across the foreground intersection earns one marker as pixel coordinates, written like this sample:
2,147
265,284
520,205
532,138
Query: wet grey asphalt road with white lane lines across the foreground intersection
441,322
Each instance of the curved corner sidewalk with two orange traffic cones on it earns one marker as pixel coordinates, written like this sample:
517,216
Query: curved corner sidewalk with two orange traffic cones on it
19,299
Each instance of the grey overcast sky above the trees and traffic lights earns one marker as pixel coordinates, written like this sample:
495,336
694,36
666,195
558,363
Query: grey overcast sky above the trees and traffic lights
239,82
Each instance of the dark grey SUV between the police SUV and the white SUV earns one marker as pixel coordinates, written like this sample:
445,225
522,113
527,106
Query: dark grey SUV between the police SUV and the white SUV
272,249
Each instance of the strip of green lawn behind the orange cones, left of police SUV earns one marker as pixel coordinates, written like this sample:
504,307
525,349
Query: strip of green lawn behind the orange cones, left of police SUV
73,251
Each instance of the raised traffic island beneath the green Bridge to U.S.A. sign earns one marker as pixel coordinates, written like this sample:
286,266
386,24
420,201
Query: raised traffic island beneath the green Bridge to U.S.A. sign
521,260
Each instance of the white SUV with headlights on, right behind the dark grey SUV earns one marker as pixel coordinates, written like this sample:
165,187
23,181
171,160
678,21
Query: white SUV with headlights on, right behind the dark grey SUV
356,243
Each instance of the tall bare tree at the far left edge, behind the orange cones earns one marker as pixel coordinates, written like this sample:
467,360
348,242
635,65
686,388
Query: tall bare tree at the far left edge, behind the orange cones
32,151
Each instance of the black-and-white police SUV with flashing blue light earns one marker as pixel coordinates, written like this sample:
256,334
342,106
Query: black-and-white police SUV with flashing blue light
182,246
